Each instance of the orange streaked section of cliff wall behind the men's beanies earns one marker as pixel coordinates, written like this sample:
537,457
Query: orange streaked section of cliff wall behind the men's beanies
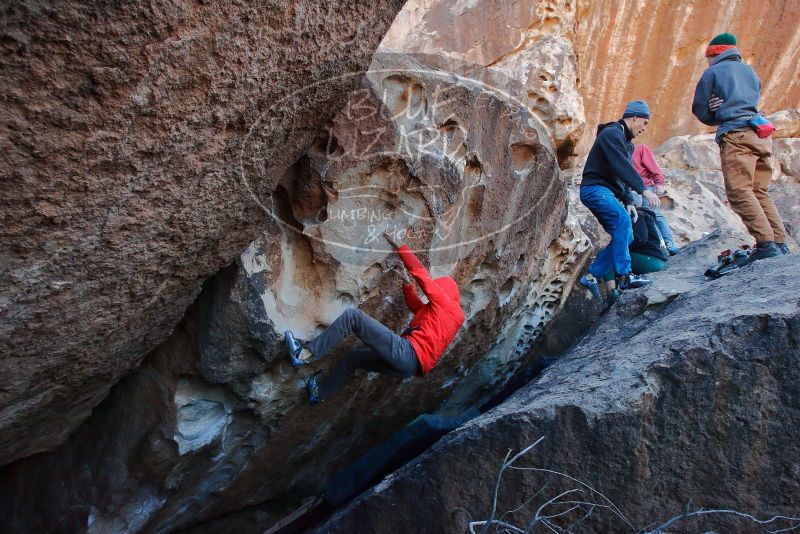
629,49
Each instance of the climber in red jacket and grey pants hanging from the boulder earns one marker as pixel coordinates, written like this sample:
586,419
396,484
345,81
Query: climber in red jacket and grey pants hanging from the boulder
412,353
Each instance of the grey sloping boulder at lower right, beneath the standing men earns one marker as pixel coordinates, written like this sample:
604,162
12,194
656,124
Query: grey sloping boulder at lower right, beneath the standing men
687,392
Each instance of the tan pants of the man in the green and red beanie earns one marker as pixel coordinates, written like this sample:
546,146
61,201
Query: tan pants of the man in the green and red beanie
747,169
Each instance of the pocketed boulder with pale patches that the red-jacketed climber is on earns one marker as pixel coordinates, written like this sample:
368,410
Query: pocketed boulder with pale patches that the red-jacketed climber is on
216,420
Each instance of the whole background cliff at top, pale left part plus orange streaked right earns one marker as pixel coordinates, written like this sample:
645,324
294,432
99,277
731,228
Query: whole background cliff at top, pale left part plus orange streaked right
626,49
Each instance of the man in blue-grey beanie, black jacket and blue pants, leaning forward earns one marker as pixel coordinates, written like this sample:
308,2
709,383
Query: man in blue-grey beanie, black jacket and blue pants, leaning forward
608,178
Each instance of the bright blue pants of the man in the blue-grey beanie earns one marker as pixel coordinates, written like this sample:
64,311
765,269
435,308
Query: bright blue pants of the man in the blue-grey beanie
617,222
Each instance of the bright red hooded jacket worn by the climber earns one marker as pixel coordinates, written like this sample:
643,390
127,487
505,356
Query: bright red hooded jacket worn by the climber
436,323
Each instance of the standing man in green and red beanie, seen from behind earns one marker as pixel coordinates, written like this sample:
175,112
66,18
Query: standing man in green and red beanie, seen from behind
726,97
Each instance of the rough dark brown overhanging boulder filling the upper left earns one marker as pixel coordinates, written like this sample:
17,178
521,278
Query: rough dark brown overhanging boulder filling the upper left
127,132
